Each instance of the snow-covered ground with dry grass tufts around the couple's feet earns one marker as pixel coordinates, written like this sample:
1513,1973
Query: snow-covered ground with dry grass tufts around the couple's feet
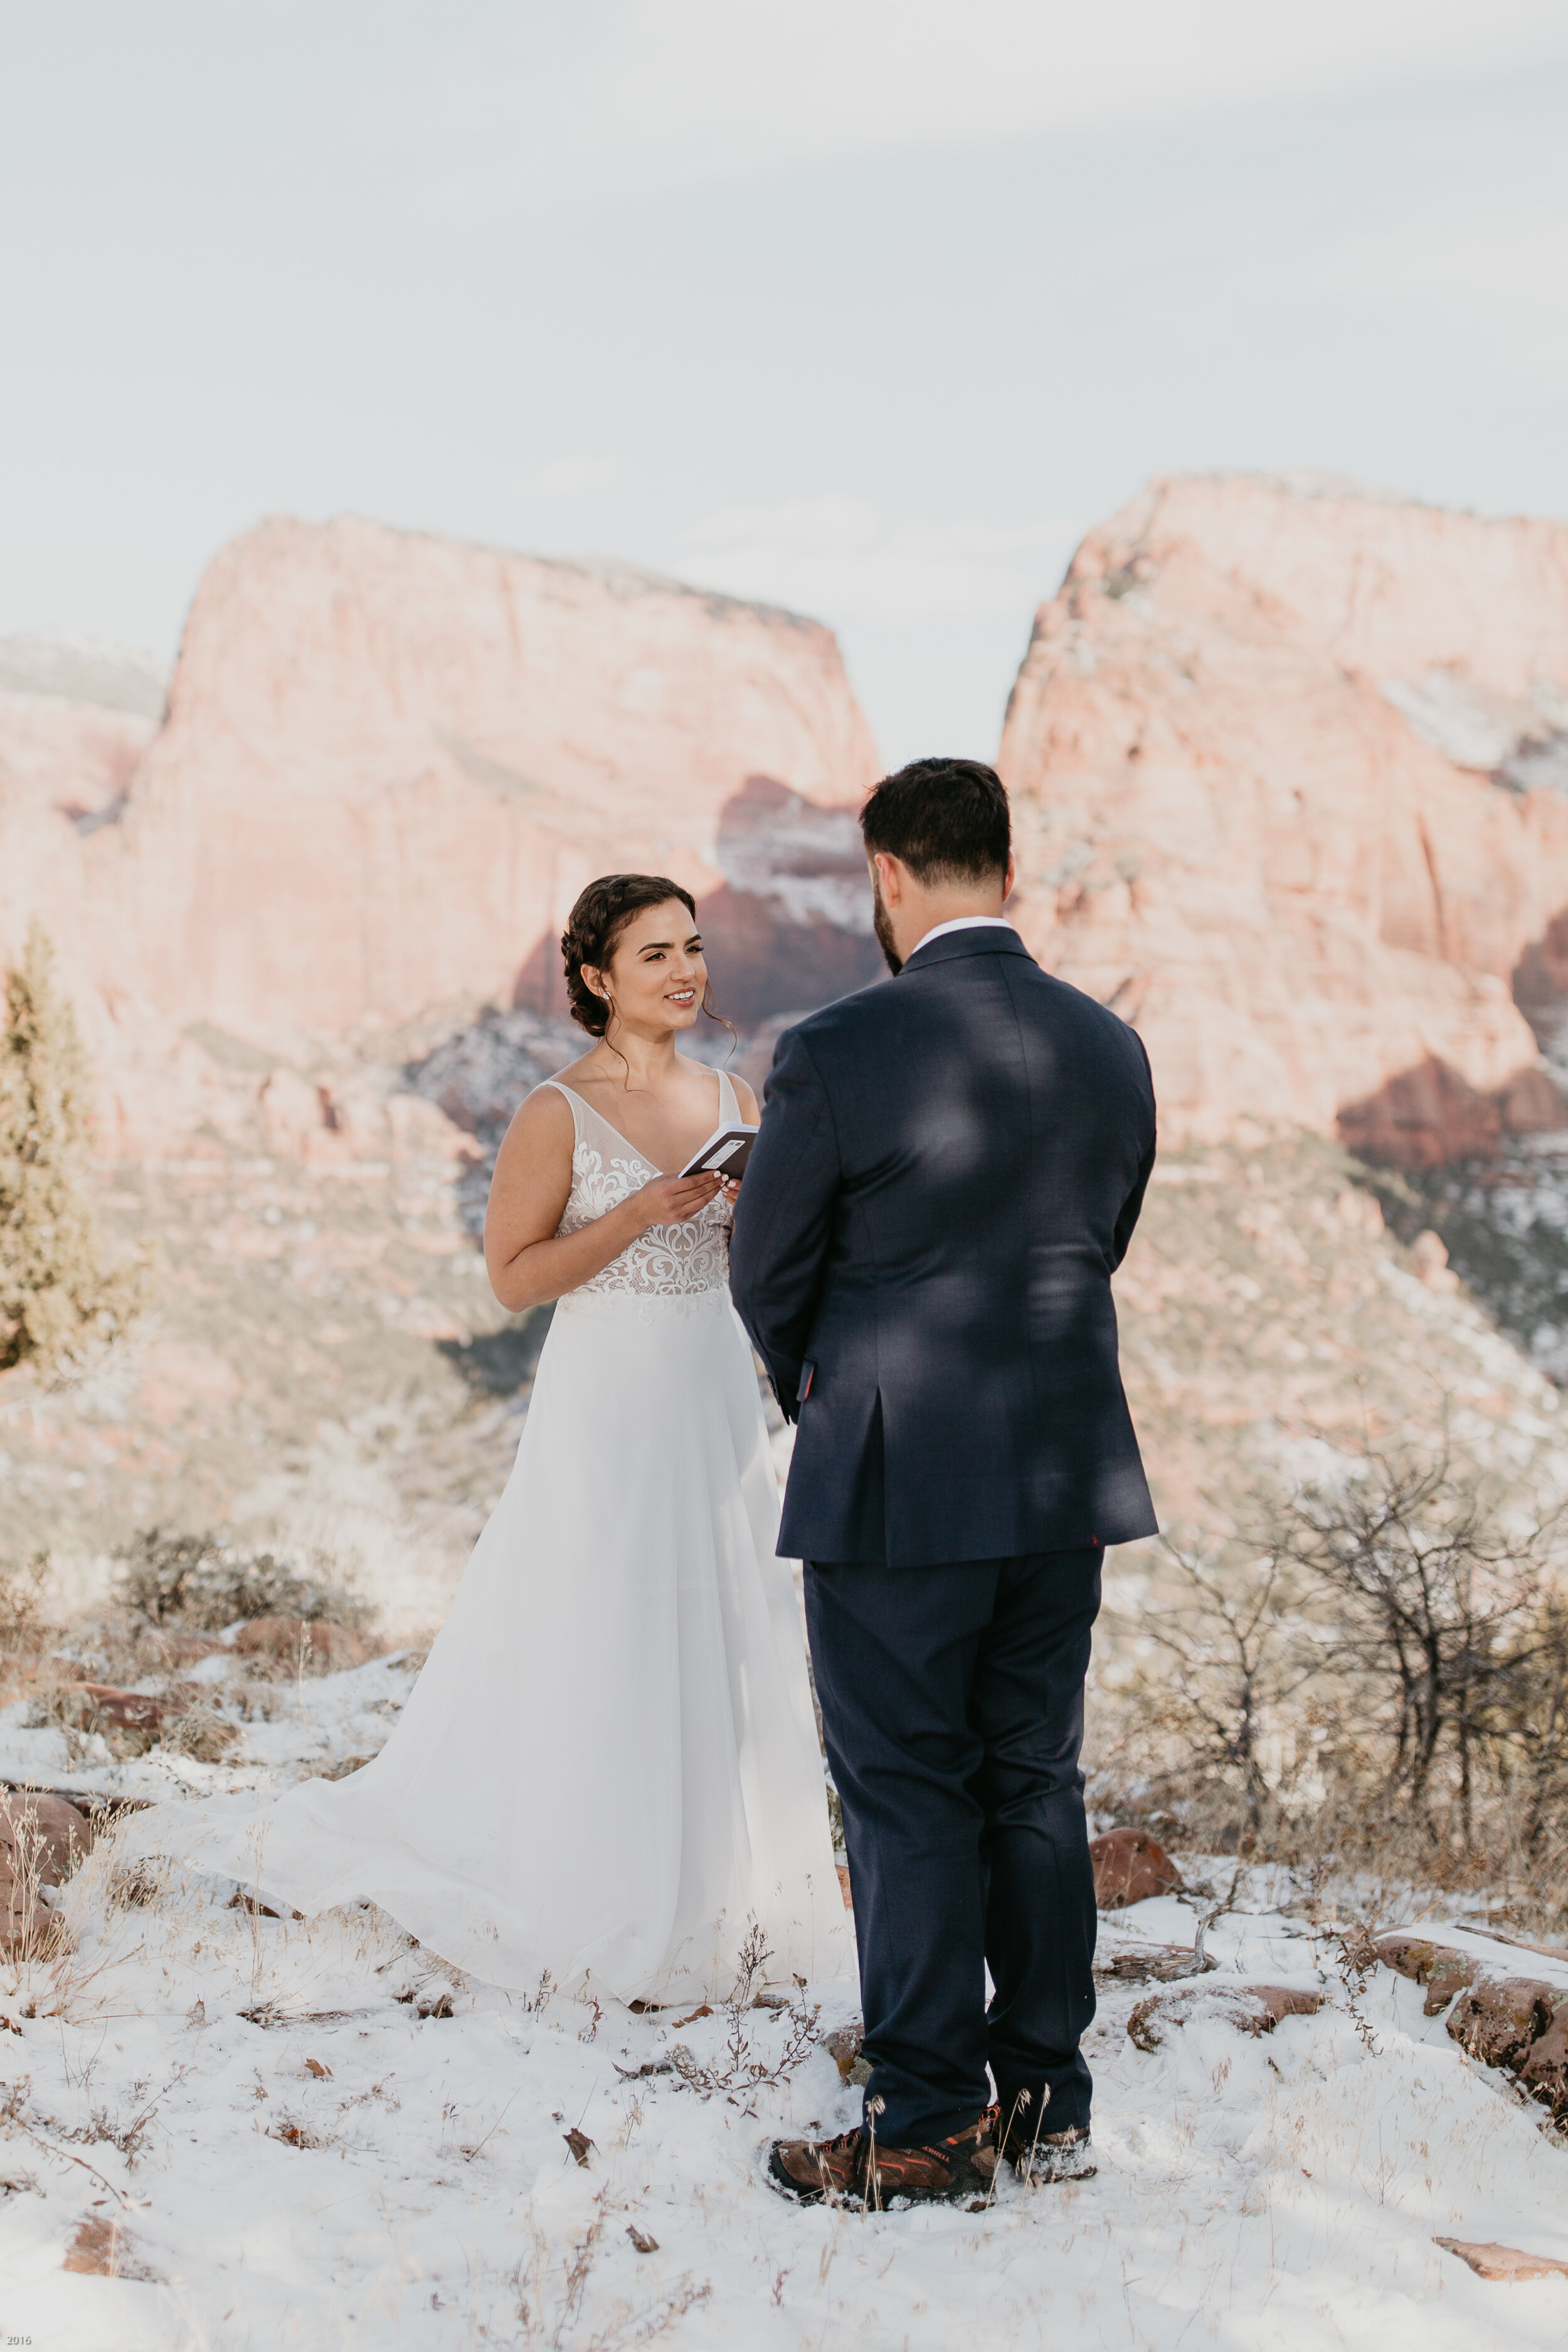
293,2153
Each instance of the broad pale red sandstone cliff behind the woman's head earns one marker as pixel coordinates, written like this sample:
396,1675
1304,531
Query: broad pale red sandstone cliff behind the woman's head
389,766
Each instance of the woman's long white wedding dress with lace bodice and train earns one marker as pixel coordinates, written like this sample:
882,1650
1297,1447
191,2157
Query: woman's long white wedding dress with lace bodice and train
608,1768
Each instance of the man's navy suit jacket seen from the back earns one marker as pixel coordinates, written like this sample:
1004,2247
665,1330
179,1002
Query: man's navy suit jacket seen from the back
949,1172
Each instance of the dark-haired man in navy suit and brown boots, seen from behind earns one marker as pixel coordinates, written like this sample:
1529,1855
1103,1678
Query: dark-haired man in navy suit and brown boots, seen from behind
946,1180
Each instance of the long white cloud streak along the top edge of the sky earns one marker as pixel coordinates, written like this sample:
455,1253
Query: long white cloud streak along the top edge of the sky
636,93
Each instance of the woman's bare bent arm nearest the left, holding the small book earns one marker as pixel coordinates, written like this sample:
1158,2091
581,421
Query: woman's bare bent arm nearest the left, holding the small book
525,1257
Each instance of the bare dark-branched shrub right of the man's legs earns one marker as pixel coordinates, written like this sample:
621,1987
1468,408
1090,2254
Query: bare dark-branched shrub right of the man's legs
1376,1676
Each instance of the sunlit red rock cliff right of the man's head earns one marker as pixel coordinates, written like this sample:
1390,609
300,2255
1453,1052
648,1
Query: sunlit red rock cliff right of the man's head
1292,791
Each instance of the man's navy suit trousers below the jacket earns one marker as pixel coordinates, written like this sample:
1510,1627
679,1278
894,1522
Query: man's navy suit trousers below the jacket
953,1709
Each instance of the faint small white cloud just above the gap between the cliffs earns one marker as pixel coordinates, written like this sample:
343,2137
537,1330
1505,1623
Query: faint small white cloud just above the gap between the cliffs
845,561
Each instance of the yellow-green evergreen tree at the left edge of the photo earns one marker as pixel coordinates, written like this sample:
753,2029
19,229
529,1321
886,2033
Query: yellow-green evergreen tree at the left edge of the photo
58,1295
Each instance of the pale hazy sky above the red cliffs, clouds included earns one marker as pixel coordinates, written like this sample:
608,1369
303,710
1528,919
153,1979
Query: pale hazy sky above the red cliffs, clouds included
866,307
